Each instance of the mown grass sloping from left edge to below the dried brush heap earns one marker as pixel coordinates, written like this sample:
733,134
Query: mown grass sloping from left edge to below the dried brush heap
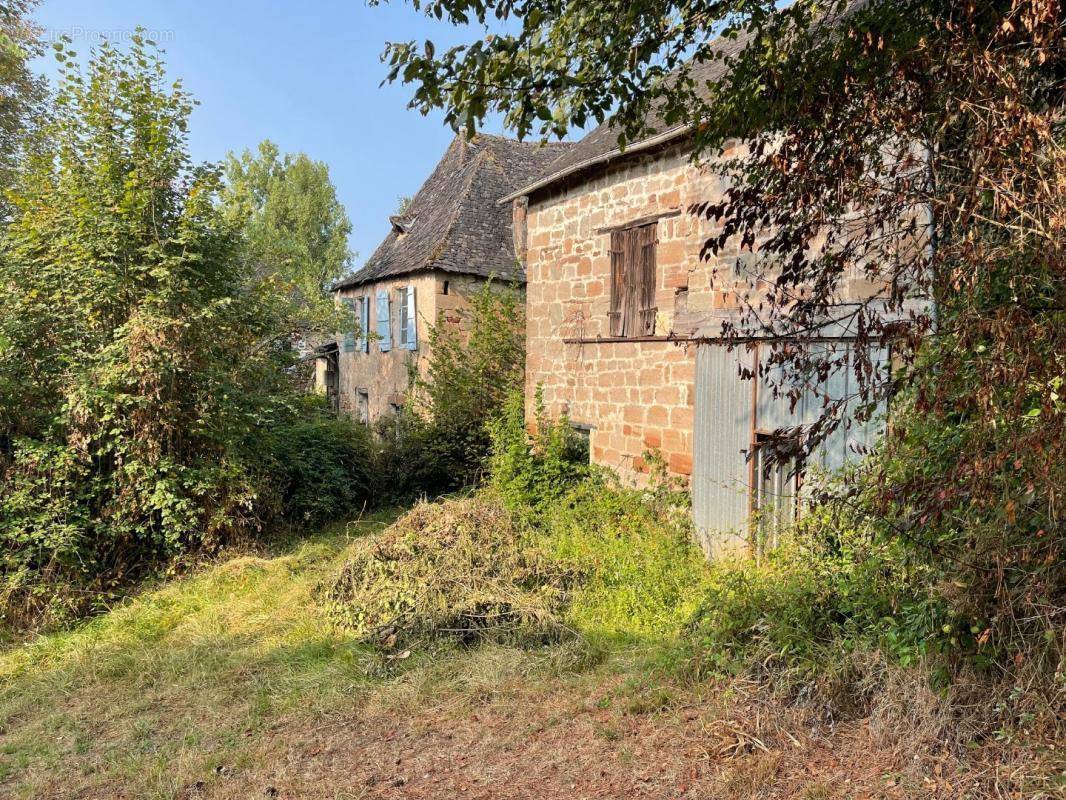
191,680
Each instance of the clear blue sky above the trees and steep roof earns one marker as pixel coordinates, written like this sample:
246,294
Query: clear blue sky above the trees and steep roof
305,75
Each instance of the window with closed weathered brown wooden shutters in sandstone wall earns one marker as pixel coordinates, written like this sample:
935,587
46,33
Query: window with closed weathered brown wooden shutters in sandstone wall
634,282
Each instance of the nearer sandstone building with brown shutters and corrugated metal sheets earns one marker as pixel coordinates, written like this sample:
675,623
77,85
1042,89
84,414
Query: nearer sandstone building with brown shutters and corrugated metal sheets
624,326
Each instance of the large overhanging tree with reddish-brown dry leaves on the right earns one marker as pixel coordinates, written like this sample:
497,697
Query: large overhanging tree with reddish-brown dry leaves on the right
918,145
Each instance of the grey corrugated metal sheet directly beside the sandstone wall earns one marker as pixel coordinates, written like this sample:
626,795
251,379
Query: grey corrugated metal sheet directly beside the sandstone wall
722,437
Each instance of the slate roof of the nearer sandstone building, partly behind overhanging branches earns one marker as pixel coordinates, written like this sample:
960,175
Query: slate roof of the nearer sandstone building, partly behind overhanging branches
601,146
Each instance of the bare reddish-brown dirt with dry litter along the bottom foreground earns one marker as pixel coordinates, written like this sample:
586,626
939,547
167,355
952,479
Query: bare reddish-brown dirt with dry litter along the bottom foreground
554,747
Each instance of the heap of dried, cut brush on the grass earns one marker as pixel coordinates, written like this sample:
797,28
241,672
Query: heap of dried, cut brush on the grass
465,570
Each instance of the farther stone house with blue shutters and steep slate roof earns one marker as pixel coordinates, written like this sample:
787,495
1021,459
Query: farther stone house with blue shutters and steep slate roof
453,238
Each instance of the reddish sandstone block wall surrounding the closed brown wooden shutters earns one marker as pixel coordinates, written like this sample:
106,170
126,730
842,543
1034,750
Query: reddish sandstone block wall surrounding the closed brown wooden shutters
636,396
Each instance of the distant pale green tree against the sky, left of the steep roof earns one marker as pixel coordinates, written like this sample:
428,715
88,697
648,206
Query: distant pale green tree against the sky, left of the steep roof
295,229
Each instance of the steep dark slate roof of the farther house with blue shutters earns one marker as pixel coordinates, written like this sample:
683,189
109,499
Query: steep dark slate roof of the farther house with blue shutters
456,223
